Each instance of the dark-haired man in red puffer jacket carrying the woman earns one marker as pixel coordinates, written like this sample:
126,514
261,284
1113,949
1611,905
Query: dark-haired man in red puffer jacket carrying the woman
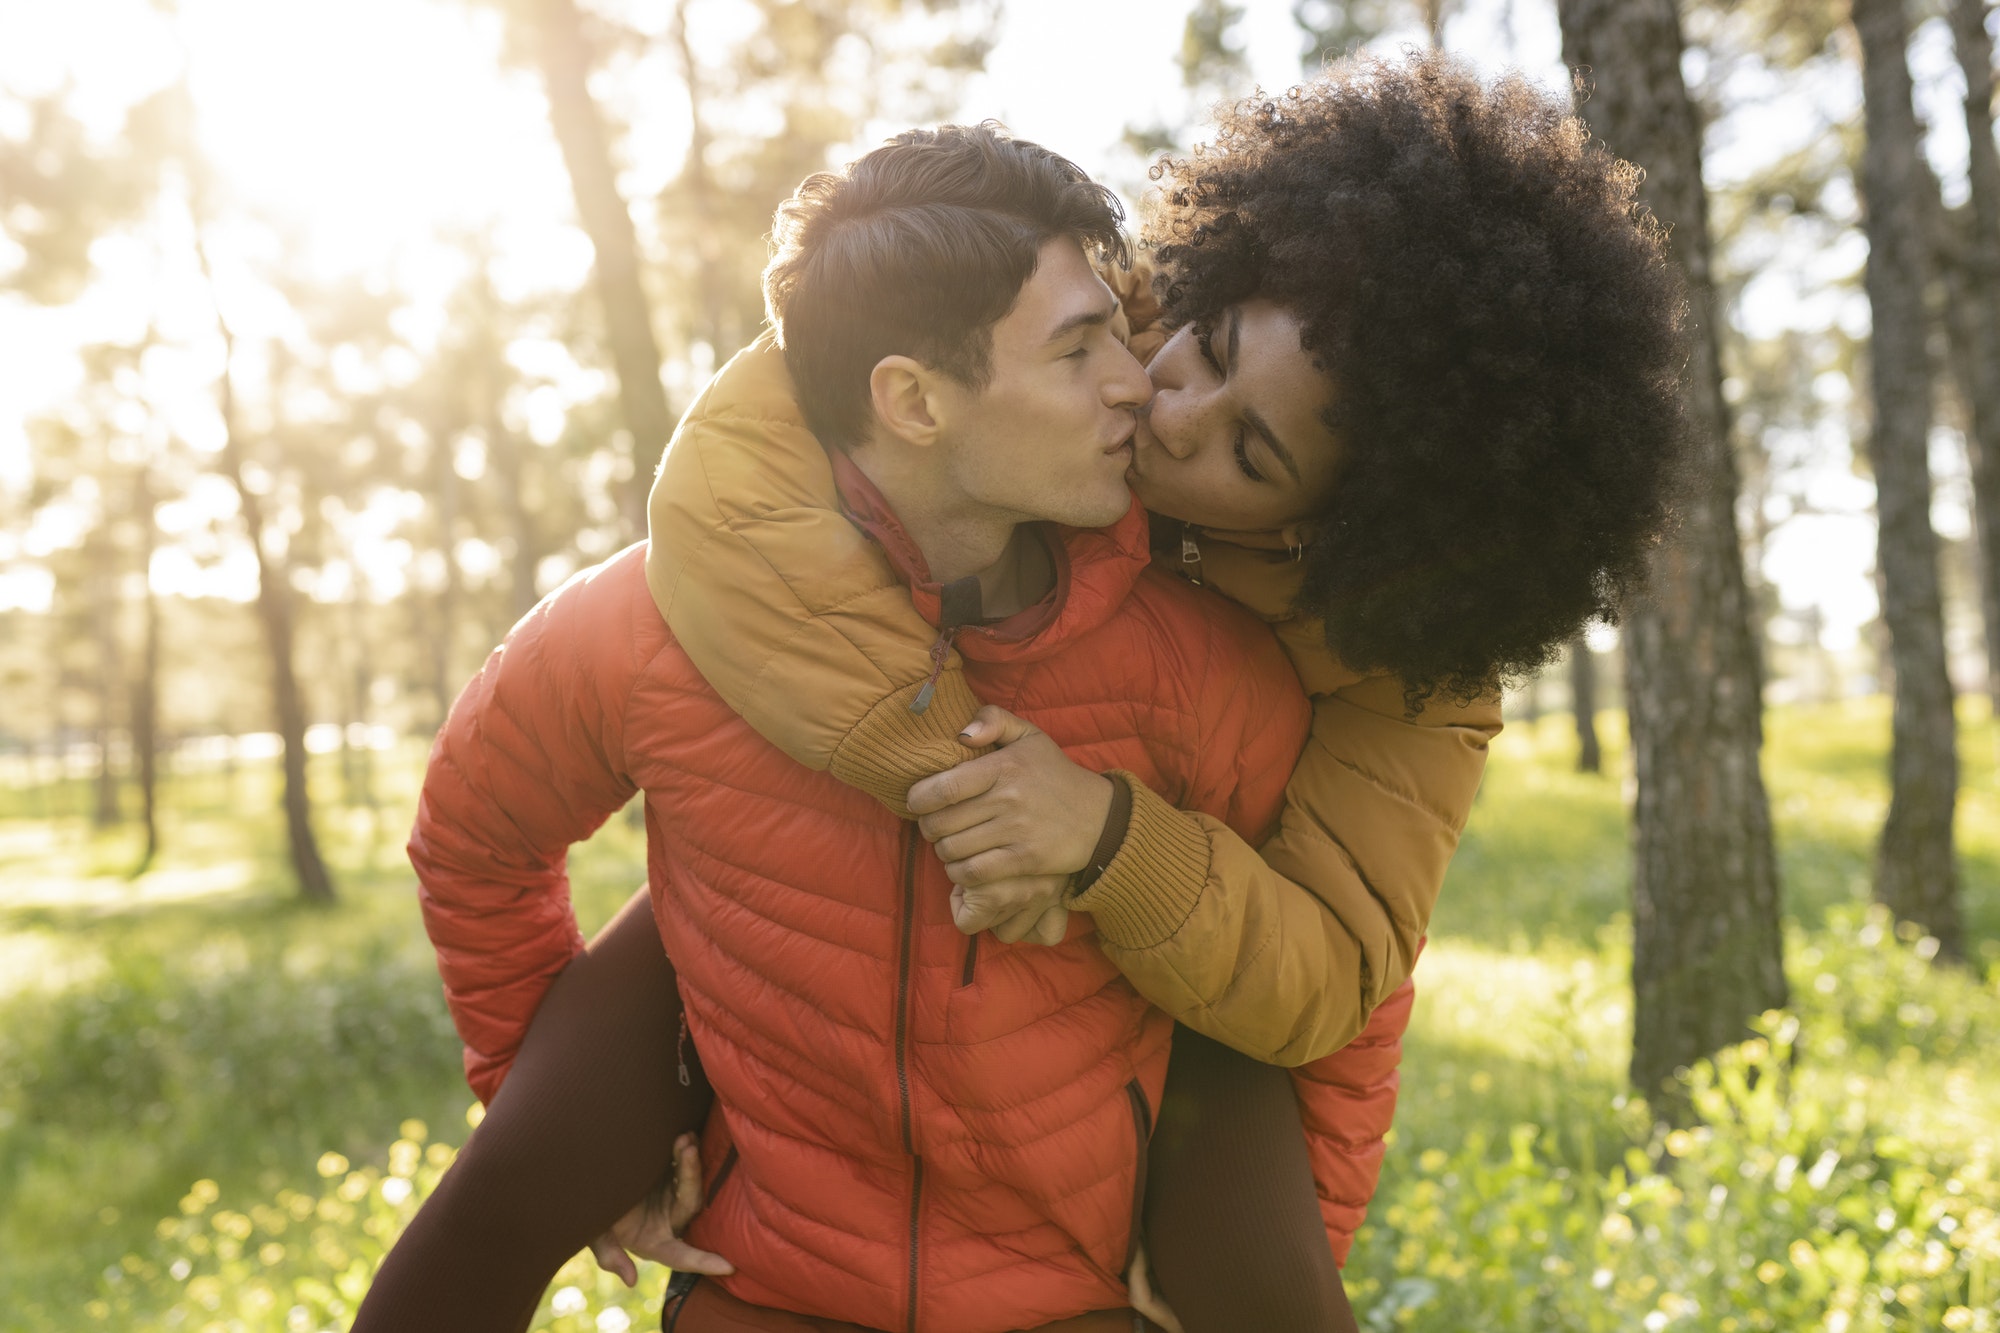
909,1134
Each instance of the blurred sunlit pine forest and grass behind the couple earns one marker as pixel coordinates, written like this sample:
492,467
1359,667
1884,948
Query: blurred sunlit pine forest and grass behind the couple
337,335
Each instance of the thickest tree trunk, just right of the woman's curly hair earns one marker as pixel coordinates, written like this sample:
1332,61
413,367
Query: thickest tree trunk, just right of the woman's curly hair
1707,946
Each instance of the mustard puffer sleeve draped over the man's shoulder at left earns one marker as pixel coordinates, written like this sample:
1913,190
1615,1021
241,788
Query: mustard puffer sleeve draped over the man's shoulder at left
791,613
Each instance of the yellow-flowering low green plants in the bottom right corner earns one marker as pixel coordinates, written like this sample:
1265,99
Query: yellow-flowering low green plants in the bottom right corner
1793,1206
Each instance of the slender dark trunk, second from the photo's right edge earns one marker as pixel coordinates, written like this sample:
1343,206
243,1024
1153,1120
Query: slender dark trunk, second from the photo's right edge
1915,868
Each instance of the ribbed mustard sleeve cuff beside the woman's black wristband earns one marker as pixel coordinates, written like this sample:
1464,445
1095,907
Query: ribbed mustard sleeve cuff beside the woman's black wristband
1151,888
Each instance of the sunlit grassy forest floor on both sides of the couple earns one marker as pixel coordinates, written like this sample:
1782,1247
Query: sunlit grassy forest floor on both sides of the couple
217,1108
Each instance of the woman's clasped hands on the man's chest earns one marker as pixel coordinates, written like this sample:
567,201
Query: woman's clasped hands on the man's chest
1013,828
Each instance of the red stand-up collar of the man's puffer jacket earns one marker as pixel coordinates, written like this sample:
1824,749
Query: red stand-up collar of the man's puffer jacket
1095,571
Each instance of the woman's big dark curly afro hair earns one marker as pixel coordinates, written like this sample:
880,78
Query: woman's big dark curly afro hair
1505,341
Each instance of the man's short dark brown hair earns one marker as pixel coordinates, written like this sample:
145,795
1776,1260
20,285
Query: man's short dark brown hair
919,249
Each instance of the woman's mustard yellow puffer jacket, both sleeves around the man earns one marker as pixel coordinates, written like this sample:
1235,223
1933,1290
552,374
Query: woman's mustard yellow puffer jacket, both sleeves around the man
1279,952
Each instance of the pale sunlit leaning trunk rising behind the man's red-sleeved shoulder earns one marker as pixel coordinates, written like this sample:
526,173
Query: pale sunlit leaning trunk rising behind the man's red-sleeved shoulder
579,125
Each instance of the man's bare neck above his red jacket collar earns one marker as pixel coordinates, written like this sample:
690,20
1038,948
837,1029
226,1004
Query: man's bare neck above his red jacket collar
961,537
